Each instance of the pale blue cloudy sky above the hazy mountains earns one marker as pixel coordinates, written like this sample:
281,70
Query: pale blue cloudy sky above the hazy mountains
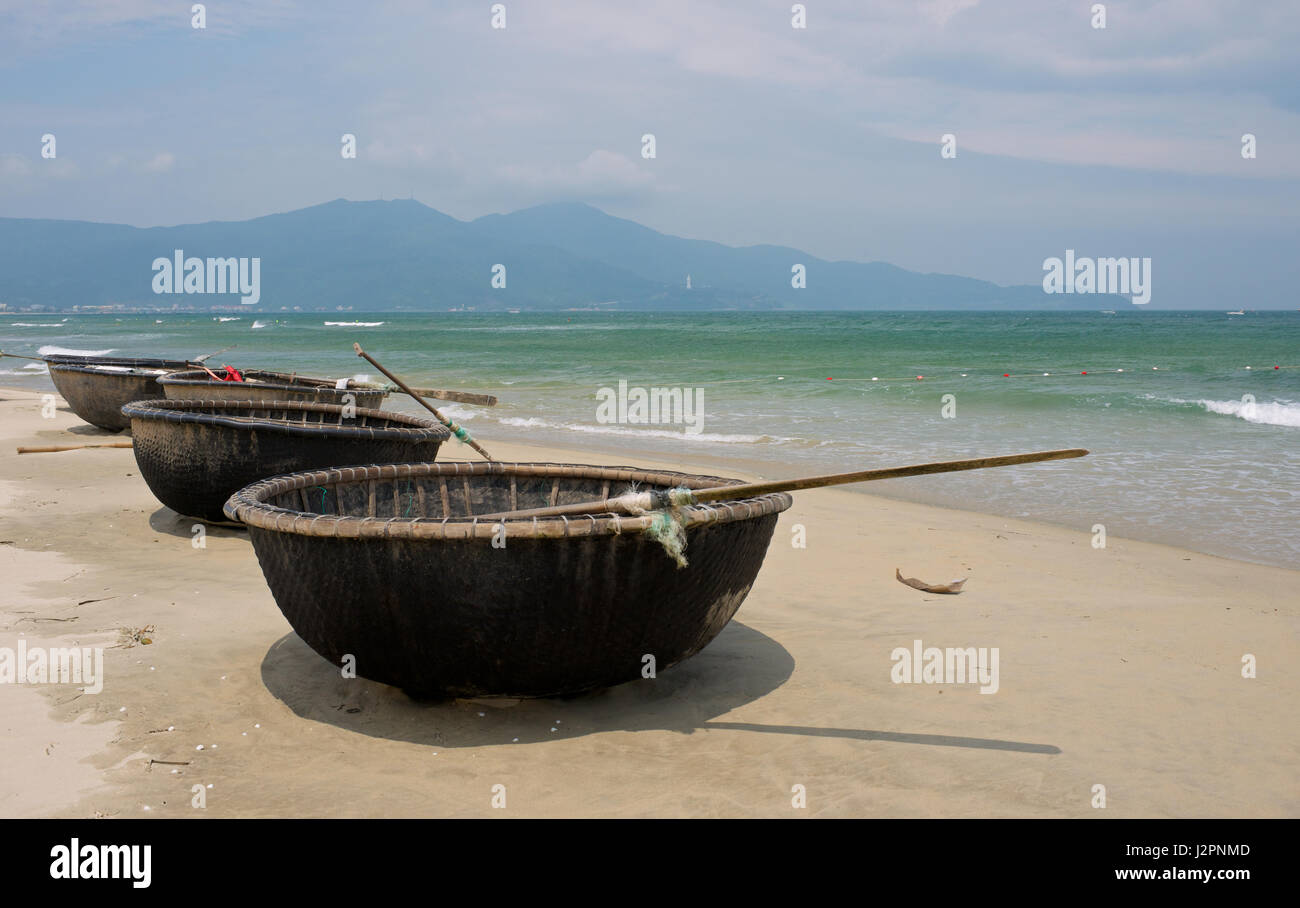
1117,141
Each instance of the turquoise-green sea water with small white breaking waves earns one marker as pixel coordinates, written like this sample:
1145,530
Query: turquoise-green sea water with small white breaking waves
1181,455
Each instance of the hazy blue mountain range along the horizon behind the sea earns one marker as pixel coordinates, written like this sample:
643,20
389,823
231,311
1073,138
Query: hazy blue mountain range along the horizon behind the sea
391,256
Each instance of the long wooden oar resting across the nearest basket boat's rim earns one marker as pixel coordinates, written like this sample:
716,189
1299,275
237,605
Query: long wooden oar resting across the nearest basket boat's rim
638,503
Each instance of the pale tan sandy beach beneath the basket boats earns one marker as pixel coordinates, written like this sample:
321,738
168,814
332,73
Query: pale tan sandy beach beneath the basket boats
1119,668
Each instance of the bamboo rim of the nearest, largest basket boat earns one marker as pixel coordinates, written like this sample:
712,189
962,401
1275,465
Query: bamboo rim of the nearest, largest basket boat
250,504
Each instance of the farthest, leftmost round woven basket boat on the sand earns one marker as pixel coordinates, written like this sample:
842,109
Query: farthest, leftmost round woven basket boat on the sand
97,388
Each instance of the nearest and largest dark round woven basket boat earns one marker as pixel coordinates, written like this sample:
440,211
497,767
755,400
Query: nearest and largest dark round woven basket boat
391,567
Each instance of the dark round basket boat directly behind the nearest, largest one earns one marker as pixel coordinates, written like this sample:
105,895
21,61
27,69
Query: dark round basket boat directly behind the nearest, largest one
196,455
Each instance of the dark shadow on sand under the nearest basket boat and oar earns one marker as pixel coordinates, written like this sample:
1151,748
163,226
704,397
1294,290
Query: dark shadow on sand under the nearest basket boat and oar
736,669
